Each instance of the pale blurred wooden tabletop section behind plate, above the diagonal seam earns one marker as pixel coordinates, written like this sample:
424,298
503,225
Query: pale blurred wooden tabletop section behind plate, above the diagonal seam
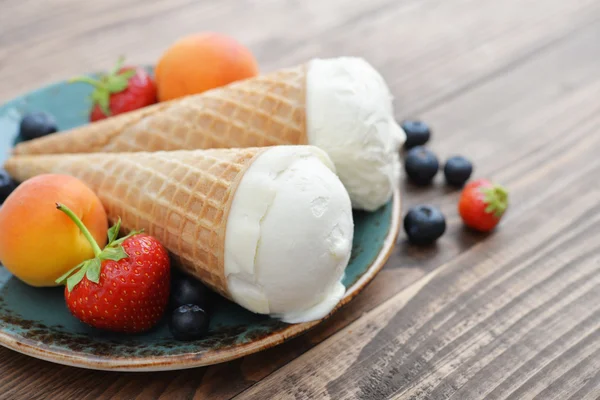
429,50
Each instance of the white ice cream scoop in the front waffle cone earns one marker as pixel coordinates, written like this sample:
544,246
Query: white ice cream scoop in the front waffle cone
289,235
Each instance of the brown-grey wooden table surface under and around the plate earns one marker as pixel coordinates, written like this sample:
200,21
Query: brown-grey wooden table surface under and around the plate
513,84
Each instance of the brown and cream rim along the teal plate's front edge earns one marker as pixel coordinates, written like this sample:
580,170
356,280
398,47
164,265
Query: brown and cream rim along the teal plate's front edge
193,360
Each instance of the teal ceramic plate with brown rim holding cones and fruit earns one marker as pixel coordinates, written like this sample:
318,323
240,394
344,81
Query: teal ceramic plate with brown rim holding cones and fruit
36,322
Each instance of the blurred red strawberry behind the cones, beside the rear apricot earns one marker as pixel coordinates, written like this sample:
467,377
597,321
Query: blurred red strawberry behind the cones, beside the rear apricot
123,89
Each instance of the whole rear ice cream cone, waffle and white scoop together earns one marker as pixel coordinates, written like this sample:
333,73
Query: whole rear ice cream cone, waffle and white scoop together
321,103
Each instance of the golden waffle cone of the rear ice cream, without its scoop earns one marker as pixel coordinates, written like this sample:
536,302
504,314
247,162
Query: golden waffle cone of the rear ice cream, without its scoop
266,110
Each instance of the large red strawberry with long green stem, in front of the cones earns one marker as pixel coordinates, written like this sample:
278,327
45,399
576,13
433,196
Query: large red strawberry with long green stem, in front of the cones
125,287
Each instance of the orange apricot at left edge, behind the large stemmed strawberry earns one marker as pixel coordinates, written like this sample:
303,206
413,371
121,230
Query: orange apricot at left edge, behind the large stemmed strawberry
37,244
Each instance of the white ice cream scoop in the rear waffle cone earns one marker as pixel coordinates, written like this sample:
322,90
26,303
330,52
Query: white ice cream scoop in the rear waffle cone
349,114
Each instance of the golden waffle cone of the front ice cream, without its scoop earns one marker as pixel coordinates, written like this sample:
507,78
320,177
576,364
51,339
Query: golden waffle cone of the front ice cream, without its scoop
182,198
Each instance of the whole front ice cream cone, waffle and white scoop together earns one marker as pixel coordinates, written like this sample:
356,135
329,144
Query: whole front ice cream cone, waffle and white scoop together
270,228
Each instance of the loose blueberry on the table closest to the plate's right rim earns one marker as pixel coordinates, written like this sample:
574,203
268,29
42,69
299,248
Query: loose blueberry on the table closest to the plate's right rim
424,224
